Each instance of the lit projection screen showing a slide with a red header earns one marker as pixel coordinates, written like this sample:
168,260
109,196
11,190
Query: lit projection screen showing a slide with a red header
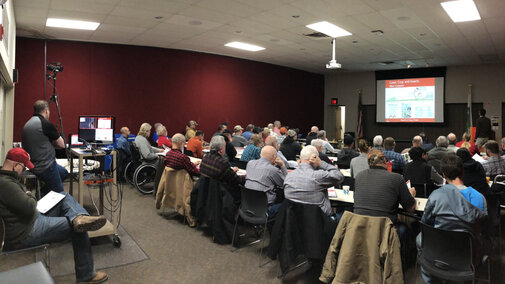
417,100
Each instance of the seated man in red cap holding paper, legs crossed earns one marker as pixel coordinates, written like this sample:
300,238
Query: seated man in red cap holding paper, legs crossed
25,226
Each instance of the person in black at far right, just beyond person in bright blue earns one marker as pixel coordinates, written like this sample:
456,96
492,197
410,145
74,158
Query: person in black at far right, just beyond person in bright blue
474,173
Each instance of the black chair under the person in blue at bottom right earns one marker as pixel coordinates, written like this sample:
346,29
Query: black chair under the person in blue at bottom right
447,255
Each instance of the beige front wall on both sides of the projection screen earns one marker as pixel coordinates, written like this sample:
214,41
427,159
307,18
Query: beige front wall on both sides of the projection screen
488,87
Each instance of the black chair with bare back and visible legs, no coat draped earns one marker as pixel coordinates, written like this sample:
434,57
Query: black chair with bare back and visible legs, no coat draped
253,210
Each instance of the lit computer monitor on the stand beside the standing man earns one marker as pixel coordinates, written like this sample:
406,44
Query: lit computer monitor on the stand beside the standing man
97,128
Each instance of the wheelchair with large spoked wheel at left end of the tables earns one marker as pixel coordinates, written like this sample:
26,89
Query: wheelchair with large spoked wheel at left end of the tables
139,173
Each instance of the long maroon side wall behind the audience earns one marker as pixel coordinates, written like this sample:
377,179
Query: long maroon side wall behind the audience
145,84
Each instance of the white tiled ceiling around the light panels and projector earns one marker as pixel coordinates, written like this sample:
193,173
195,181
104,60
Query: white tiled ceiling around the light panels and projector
415,30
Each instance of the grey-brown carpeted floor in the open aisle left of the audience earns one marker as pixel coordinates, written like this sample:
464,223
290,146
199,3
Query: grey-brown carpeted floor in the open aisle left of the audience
179,254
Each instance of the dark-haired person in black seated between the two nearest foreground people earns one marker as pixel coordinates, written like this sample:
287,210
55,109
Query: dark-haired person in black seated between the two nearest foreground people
419,172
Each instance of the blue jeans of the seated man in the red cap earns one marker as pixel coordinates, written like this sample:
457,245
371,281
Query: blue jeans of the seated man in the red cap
56,226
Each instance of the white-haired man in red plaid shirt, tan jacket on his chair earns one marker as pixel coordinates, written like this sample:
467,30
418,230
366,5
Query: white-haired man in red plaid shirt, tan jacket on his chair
176,159
